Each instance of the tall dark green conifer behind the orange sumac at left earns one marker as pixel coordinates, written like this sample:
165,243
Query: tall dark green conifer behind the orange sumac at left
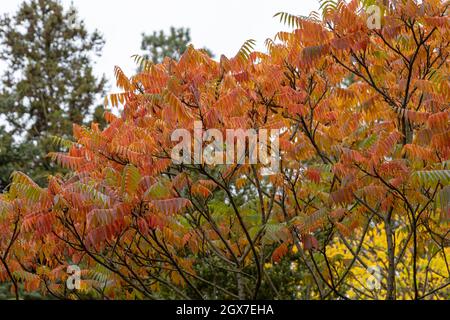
48,84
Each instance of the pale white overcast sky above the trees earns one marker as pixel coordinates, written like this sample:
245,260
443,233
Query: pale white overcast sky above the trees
220,25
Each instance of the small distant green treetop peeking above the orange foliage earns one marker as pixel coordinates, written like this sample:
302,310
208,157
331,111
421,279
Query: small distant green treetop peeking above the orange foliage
159,45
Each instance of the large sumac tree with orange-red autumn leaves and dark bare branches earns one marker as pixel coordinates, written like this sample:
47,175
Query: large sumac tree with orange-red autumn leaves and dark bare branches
363,176
